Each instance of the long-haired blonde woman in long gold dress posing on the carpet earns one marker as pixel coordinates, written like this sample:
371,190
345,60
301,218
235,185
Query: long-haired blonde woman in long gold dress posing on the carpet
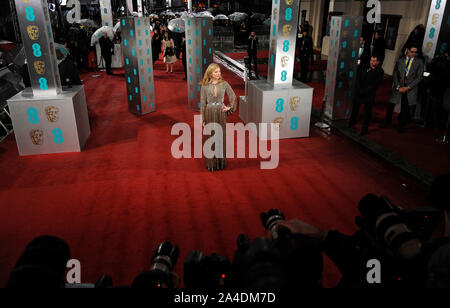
213,110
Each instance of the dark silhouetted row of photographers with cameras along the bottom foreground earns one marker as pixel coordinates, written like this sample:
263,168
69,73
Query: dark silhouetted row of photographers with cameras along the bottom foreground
393,248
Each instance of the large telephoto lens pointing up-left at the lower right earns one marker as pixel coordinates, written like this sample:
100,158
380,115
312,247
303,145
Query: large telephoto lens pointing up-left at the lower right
389,227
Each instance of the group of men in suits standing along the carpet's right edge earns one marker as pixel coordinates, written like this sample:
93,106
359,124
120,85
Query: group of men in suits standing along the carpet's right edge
411,87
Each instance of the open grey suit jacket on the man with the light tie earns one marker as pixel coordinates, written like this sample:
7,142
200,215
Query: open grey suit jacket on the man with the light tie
415,77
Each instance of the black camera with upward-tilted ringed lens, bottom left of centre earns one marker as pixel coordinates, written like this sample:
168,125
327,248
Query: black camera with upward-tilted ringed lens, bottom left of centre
160,275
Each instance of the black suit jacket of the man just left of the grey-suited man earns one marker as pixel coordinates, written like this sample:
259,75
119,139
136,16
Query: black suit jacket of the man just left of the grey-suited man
367,83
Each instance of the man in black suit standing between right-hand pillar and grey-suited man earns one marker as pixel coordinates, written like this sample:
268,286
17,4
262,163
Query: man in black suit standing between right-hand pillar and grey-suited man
368,80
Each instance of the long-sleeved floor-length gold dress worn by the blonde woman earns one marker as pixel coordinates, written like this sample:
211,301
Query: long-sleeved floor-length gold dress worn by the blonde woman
211,111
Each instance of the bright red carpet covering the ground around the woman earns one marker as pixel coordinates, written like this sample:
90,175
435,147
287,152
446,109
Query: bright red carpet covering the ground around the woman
124,194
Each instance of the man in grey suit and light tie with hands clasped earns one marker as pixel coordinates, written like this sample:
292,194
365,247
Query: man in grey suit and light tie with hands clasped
408,74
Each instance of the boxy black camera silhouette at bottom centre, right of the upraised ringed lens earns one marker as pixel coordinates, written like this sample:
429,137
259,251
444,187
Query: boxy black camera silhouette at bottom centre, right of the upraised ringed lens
203,271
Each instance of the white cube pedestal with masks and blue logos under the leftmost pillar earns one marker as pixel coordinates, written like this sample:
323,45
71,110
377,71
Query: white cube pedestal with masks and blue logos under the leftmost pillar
47,125
